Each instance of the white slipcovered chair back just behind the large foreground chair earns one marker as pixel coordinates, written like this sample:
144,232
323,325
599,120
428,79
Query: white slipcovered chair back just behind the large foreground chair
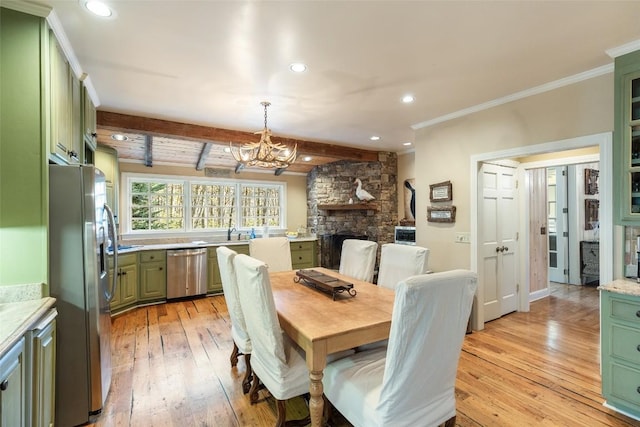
397,262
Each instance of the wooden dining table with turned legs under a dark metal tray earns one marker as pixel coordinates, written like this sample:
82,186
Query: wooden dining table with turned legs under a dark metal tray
321,325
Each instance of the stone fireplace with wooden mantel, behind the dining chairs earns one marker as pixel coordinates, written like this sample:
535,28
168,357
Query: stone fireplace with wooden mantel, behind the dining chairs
329,188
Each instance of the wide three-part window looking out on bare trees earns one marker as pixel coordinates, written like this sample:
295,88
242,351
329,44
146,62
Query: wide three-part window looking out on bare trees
155,204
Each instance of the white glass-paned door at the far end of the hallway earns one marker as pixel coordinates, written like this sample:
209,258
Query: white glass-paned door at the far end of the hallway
558,225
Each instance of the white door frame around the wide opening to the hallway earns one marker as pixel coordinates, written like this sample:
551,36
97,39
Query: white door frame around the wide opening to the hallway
604,141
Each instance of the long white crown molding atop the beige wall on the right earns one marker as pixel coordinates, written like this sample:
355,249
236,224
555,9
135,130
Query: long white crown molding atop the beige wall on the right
605,69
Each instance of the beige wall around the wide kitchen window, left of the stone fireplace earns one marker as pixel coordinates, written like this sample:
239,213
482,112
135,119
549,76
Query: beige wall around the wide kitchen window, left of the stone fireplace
296,186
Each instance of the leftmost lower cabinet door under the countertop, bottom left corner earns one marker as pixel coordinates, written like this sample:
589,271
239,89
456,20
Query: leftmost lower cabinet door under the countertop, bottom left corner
13,386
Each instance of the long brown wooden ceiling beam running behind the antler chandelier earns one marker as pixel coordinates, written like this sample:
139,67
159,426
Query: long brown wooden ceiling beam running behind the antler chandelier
157,127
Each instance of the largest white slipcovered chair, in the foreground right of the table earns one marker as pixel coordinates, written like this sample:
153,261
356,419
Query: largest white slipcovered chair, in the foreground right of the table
412,381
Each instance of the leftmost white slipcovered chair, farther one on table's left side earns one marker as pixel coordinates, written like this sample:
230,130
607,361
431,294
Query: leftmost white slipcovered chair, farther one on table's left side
239,334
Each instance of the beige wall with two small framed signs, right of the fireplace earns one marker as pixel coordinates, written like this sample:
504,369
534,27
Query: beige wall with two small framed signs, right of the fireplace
443,151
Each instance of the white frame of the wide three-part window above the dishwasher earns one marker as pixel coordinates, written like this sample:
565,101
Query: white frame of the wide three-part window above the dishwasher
187,182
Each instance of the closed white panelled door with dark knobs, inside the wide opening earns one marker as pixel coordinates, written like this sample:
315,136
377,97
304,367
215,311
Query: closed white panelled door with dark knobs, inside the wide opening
498,234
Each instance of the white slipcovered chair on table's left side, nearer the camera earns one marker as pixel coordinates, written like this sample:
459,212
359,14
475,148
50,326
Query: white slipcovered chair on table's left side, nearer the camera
277,362
